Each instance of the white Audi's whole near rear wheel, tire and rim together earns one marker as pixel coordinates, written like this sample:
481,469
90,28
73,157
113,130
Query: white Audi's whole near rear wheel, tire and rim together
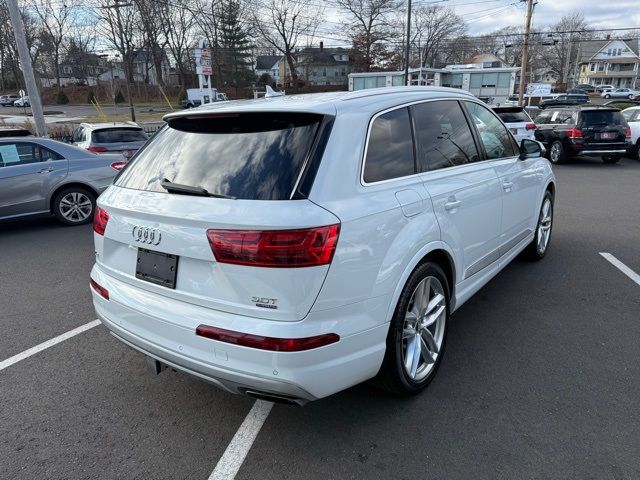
419,323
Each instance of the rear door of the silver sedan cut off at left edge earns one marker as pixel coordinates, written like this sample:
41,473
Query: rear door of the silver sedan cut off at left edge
27,174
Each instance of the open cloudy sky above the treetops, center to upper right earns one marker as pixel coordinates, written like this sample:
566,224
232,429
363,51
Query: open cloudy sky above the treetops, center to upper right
484,16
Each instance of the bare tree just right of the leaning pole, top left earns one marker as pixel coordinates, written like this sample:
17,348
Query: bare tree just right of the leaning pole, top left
55,21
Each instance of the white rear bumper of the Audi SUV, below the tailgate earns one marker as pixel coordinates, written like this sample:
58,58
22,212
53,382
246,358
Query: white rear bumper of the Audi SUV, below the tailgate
164,329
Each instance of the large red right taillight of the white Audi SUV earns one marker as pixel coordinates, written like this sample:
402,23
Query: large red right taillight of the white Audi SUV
307,247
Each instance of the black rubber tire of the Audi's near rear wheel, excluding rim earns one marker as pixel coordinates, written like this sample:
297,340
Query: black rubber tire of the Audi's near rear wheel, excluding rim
392,375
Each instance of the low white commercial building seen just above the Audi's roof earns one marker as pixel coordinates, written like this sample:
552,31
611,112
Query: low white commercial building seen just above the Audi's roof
494,84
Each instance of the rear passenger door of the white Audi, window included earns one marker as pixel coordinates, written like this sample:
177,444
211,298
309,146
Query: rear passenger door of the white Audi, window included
465,191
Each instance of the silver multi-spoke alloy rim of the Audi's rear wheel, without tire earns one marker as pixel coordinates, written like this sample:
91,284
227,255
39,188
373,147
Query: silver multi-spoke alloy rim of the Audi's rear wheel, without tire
423,329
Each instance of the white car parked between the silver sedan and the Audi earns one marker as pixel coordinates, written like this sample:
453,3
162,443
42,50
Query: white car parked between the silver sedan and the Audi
125,138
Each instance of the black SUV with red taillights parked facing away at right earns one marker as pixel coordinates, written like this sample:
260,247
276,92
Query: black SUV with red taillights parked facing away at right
590,131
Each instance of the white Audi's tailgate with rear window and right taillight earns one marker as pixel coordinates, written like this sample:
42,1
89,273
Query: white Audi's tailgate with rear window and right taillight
206,213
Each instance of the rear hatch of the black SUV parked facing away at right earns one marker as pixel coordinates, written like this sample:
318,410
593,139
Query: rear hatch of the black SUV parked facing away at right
603,129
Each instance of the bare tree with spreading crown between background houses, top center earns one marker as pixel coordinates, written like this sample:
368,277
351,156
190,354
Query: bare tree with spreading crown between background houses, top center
283,24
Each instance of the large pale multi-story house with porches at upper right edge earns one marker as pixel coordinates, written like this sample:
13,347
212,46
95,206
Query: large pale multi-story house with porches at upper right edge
610,62
